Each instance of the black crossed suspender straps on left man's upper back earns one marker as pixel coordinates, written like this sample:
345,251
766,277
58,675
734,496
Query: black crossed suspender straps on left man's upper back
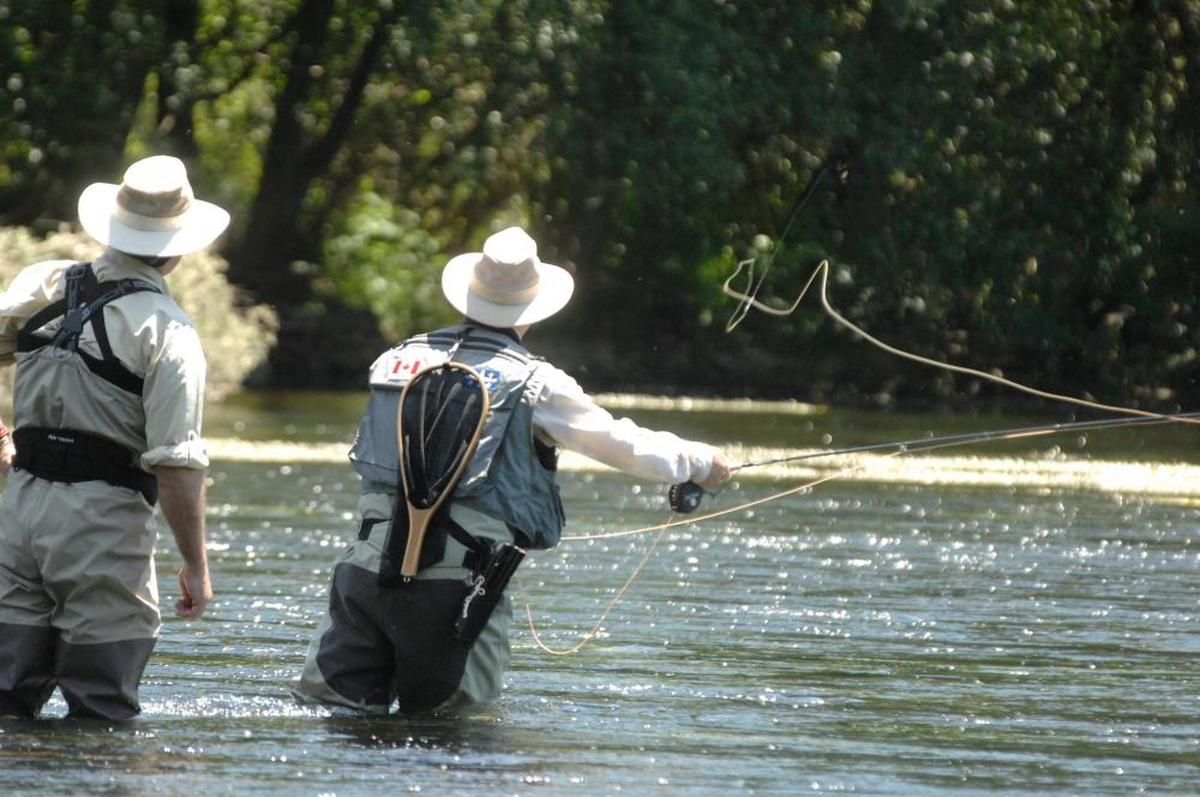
85,303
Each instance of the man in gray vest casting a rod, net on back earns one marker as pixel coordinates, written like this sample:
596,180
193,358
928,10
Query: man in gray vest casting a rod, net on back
423,642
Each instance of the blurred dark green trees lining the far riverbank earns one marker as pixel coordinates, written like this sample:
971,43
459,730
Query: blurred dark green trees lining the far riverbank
997,184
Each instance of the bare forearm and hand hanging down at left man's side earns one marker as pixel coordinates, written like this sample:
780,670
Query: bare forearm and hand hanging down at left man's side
182,493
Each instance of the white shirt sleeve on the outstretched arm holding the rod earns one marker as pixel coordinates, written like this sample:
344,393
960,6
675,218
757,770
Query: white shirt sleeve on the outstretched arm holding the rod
574,421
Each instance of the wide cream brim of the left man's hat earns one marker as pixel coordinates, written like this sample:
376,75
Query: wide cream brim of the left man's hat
203,224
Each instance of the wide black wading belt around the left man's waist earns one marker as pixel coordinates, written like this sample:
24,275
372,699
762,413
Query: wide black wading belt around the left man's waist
69,456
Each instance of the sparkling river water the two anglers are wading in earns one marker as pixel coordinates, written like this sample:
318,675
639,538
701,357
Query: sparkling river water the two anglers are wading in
1034,630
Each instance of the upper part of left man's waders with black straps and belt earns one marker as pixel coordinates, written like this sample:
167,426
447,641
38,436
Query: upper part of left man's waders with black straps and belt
47,450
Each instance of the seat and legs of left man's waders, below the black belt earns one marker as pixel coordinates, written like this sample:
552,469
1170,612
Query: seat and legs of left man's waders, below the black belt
79,606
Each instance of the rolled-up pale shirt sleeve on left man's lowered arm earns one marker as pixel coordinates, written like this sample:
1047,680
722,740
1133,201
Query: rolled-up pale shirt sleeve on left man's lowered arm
175,402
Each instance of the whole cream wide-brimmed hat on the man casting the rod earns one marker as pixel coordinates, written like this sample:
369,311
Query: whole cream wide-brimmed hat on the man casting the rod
507,285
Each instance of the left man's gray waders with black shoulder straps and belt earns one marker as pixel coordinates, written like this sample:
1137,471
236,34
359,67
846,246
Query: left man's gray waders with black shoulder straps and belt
79,597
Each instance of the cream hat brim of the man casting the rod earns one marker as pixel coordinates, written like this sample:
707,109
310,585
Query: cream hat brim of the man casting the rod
555,290
